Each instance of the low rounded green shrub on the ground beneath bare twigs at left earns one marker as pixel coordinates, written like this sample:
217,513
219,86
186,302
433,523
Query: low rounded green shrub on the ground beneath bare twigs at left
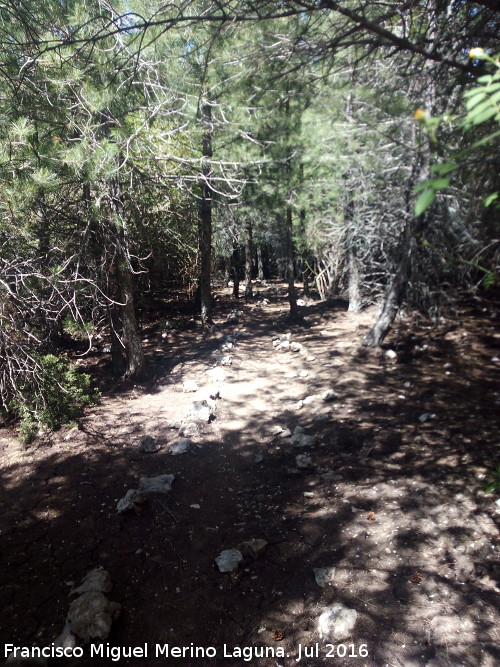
55,394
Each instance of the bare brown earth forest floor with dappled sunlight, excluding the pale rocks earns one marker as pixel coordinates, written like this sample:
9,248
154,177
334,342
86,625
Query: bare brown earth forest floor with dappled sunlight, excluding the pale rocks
405,522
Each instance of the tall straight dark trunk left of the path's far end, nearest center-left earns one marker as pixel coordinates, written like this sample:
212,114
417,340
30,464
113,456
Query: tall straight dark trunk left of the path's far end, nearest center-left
205,223
